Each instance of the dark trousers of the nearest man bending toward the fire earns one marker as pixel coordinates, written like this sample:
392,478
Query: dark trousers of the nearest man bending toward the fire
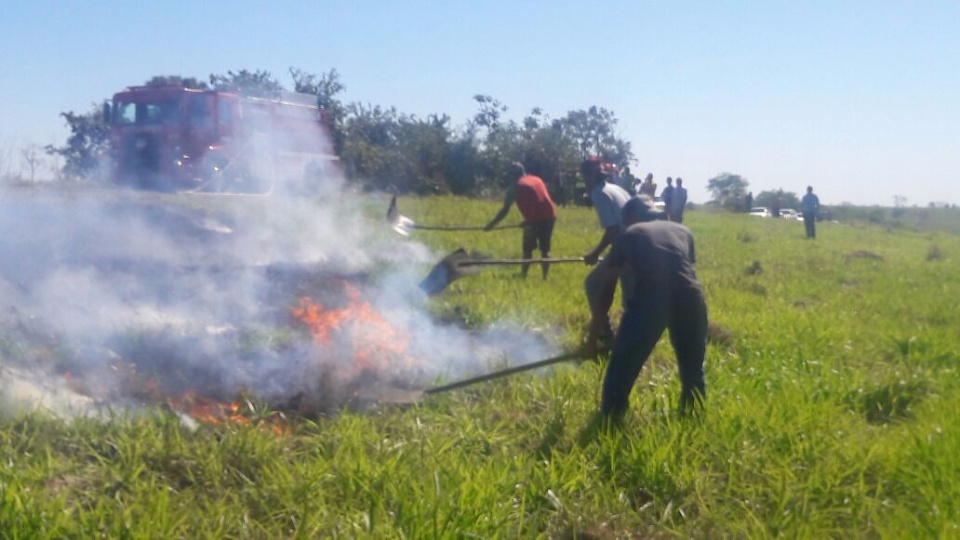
640,328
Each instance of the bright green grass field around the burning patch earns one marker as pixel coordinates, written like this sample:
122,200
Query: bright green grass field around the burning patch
832,411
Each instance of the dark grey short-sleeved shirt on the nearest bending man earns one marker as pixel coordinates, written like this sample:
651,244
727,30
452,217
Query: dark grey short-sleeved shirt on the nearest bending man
661,257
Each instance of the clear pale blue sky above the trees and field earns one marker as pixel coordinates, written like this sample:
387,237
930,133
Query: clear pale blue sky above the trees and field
857,98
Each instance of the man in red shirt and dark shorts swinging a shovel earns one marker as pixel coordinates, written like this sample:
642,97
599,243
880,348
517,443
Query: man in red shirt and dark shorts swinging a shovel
538,210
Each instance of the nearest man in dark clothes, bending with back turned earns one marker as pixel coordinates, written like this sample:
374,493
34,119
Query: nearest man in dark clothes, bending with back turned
666,295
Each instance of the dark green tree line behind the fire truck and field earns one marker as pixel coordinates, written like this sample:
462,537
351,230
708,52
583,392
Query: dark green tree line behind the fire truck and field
382,148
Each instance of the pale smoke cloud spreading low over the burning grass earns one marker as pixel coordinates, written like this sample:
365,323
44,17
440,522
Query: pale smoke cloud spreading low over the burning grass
114,299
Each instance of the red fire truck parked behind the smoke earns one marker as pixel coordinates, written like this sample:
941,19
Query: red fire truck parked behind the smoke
175,138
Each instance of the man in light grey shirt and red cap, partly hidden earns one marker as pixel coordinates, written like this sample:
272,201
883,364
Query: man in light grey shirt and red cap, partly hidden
608,199
